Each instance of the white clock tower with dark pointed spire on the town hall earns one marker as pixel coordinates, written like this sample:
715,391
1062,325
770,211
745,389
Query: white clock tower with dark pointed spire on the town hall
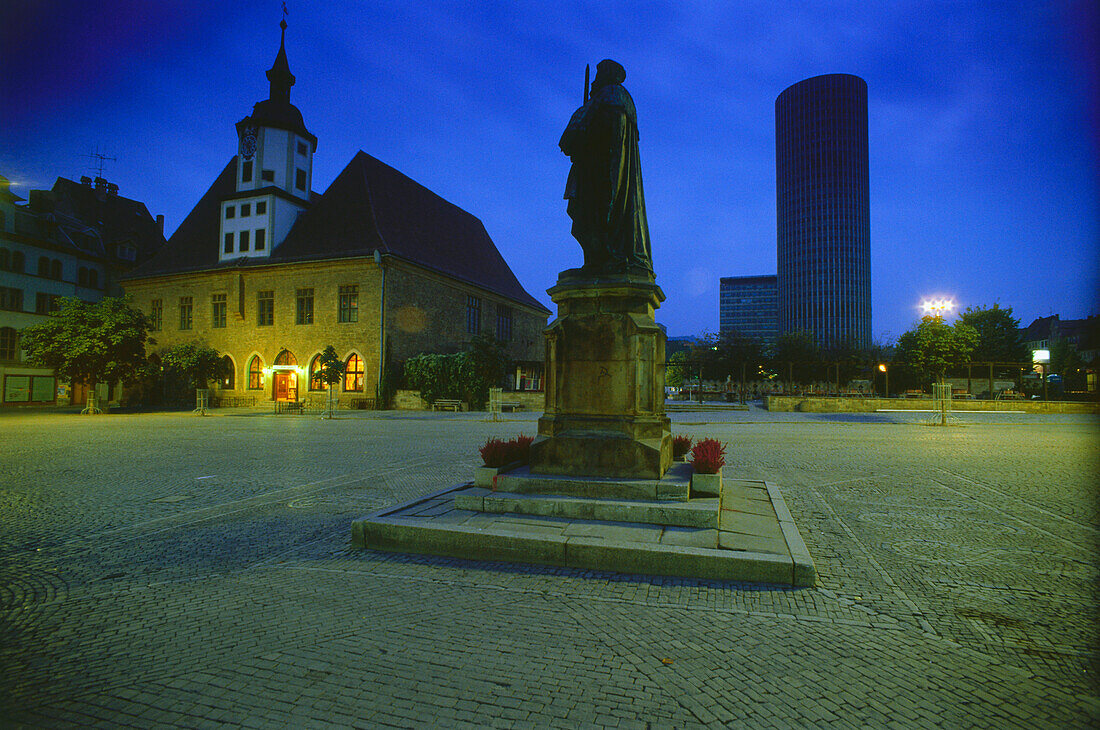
274,170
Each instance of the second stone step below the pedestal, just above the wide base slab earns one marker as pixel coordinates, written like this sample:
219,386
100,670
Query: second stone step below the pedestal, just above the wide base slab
695,514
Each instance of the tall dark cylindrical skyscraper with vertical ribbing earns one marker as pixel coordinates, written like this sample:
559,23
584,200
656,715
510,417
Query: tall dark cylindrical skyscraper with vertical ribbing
824,261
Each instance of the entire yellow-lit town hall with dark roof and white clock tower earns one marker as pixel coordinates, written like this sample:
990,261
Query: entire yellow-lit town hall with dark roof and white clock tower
270,273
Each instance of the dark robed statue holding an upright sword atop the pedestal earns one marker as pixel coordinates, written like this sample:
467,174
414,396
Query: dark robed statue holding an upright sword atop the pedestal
604,185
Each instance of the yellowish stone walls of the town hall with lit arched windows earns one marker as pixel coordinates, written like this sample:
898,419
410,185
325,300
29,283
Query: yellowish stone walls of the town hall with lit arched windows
425,313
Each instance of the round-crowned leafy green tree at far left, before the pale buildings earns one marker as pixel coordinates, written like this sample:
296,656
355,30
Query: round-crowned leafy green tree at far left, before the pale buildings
91,342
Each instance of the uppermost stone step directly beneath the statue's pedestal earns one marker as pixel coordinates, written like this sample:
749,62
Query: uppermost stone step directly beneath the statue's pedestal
676,485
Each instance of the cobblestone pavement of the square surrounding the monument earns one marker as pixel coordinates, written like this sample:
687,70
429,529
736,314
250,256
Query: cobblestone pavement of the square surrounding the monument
174,571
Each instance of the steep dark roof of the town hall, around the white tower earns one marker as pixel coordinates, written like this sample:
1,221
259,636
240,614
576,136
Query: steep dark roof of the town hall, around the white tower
370,207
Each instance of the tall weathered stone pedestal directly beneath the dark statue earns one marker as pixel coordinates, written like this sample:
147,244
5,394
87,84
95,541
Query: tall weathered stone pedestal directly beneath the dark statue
604,382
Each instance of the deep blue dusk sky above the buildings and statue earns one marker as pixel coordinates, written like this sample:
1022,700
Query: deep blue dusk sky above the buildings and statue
984,124
